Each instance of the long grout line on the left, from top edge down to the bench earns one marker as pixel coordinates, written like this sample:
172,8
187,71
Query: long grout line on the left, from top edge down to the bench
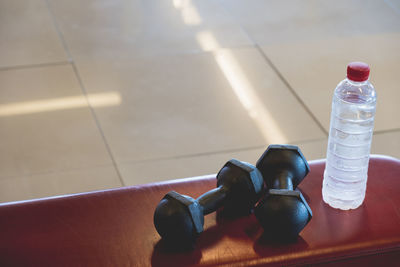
75,69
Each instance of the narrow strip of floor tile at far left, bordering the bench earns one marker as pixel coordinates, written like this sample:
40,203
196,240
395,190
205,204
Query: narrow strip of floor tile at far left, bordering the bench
58,183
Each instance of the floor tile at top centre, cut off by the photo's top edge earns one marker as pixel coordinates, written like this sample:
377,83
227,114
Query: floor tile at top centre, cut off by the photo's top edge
130,29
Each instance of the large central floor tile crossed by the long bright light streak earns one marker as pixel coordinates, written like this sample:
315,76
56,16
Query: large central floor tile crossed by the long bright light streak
205,103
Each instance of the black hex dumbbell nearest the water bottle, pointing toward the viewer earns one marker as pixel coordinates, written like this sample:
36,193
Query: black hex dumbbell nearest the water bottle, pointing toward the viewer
283,212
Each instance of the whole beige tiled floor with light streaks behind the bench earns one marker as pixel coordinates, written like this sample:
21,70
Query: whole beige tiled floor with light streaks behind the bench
102,94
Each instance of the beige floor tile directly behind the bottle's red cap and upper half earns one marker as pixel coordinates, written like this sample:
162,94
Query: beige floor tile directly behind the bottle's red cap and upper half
313,69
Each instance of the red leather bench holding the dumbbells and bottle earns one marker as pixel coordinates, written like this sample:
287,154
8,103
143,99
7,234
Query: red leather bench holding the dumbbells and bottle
115,228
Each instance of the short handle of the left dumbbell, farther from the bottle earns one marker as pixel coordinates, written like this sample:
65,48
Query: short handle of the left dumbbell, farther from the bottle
213,199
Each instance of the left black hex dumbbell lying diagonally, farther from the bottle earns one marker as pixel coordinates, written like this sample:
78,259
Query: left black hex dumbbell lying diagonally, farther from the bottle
179,219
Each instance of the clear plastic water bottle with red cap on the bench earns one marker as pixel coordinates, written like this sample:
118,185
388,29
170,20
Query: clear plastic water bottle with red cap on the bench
350,136
